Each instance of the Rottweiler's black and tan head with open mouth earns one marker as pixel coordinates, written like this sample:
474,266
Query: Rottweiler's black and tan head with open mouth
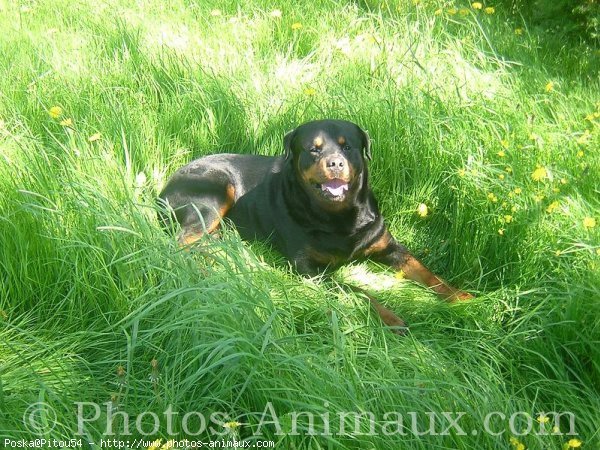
329,159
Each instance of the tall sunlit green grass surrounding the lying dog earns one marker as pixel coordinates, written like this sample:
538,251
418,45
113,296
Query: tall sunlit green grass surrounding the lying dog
92,291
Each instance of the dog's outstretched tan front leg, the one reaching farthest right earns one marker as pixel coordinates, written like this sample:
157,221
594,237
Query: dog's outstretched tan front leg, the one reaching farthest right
387,251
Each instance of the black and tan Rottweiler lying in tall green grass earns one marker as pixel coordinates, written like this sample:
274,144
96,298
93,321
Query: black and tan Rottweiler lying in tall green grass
314,204
